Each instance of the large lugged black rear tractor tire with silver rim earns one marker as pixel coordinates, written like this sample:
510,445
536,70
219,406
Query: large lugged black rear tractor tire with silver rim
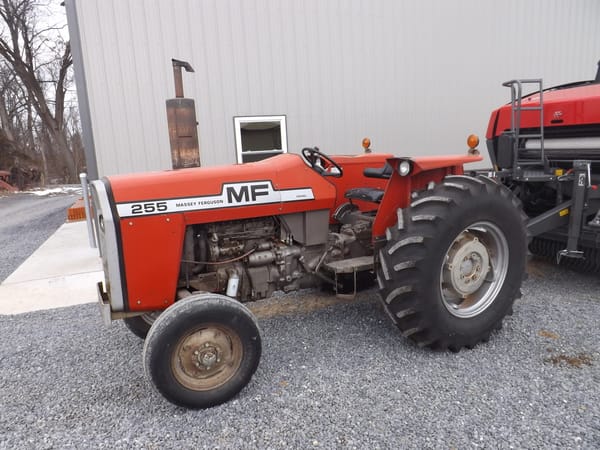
454,263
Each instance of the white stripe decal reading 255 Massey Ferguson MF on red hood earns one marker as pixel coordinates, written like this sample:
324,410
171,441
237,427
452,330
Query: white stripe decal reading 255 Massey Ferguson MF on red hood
246,193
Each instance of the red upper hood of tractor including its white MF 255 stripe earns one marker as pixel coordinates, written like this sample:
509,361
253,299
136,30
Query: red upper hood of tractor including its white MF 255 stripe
284,178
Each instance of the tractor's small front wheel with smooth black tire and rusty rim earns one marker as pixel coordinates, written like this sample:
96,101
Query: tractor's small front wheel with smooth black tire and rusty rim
202,350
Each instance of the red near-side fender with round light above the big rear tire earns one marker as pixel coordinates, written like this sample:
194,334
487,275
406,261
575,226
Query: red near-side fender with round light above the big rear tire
423,171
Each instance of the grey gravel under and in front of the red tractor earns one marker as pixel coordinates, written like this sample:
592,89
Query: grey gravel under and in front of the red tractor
337,377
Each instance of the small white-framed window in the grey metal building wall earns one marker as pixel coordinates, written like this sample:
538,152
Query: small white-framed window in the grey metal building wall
259,137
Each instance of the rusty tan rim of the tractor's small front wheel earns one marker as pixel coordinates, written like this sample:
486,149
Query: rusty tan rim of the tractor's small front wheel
207,357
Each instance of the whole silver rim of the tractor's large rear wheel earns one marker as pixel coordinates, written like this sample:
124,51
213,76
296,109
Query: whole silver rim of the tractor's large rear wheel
474,269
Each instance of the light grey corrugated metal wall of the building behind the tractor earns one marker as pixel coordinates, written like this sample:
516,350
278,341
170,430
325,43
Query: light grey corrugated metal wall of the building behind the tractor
415,76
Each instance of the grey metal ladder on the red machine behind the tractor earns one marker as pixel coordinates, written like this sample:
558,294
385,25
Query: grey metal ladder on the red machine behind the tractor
526,170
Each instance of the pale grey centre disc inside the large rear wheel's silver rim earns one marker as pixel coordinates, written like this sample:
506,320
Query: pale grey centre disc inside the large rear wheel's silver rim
468,263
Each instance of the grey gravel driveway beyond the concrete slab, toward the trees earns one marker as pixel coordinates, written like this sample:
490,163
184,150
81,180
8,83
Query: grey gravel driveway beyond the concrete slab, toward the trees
26,221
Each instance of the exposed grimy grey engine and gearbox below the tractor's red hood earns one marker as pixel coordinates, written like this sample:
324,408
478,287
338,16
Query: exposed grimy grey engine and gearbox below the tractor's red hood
250,259
